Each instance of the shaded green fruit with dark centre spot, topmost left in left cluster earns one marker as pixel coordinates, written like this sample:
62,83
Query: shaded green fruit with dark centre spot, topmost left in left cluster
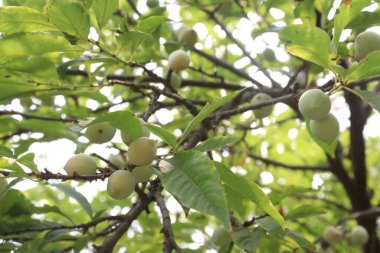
100,132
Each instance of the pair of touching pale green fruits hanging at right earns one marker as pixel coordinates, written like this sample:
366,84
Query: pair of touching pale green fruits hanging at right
315,105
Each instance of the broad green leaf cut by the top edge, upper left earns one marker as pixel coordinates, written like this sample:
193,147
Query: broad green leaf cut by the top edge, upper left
70,17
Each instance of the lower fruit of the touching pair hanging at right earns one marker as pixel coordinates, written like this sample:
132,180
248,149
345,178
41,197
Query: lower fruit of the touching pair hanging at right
326,129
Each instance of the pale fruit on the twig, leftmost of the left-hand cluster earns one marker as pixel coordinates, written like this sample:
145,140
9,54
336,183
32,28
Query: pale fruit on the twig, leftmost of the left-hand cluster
81,164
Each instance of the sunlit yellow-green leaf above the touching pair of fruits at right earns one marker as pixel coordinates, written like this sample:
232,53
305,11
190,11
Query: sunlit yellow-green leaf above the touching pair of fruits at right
309,43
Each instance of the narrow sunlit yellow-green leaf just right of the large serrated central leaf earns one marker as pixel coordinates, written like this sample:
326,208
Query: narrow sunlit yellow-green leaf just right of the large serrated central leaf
250,190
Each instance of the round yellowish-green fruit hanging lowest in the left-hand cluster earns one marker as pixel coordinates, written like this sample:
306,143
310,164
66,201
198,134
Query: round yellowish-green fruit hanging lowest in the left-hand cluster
121,184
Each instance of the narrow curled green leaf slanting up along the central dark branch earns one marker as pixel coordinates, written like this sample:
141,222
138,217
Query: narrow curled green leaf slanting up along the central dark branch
204,113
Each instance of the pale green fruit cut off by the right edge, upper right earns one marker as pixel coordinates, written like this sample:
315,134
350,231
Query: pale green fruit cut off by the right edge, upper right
366,42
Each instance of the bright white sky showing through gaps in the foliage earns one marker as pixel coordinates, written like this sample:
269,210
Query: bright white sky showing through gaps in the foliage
53,155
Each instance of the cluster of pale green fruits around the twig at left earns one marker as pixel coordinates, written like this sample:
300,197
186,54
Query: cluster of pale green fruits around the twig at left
121,183
